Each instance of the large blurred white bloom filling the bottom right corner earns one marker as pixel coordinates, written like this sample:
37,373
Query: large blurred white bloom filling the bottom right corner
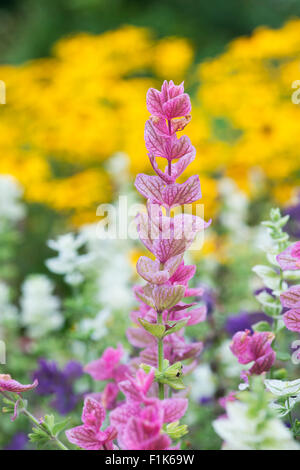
240,430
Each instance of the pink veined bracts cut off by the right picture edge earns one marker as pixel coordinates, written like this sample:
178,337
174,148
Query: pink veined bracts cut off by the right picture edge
289,260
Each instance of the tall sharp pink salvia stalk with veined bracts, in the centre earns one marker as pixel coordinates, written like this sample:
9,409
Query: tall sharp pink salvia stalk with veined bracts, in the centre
167,237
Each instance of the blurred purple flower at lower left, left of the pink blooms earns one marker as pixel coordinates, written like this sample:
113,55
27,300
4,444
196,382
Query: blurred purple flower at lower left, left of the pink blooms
59,383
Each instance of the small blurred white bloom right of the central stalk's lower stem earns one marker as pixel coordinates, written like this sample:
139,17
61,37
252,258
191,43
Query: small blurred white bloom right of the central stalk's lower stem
203,384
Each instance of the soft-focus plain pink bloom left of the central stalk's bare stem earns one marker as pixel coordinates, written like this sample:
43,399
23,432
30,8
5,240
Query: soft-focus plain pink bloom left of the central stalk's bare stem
105,367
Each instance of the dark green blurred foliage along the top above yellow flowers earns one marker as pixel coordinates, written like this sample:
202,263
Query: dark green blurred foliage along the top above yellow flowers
28,28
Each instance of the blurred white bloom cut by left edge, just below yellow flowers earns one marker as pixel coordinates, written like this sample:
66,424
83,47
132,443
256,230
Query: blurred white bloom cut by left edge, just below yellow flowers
11,209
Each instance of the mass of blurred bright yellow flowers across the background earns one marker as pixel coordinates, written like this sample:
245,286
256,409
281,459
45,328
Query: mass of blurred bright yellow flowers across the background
67,114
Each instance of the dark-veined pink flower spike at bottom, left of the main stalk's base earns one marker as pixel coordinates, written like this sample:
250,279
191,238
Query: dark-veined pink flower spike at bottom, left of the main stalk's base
89,436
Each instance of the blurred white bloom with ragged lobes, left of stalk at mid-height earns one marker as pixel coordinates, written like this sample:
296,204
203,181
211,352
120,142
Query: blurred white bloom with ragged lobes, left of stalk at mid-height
69,262
